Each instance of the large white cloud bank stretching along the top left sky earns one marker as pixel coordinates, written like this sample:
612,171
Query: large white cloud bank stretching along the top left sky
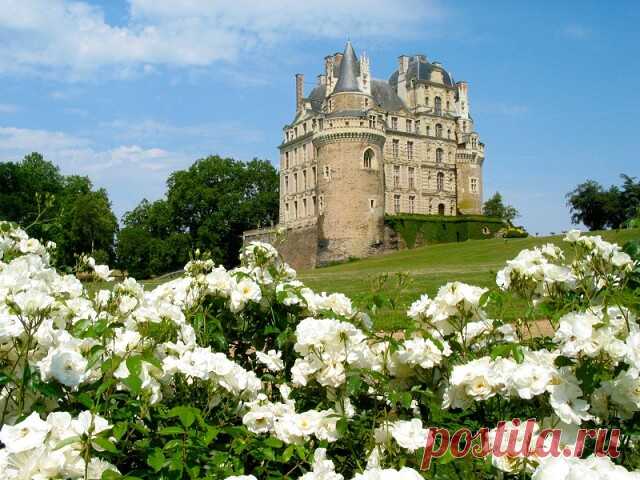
49,36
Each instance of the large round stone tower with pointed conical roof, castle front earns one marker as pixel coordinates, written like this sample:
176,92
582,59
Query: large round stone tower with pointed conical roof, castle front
350,186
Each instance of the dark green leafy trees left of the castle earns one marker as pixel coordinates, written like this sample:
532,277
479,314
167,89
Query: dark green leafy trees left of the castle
206,206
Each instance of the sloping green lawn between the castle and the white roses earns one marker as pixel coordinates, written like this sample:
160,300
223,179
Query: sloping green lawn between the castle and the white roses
429,267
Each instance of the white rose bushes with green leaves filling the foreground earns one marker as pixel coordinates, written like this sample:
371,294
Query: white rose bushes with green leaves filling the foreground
247,373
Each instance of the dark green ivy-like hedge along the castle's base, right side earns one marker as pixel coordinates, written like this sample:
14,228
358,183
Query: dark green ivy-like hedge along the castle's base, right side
416,229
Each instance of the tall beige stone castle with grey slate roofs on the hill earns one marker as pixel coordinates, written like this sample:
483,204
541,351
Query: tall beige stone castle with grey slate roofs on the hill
361,148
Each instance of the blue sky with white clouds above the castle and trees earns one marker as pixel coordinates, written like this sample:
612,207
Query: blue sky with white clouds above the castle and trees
126,91
